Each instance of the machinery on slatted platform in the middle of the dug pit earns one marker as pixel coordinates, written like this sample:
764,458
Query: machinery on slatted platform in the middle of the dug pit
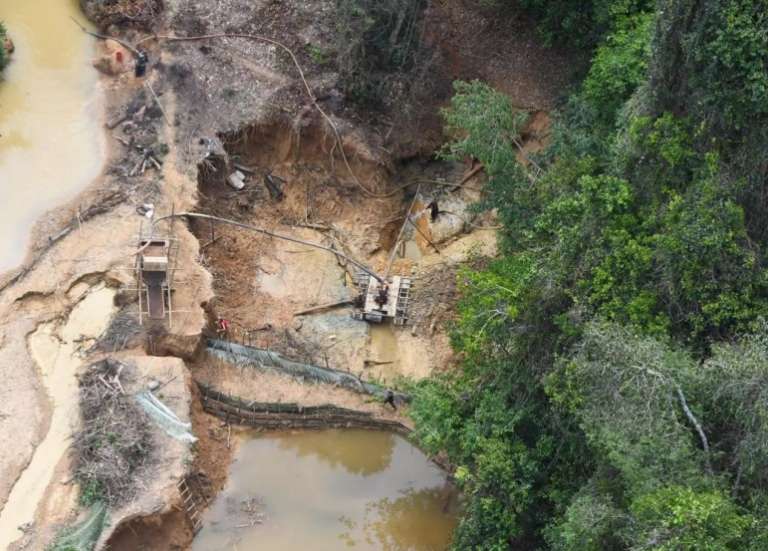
380,300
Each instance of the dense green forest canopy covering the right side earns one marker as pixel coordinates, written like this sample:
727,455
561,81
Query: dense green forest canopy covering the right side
613,393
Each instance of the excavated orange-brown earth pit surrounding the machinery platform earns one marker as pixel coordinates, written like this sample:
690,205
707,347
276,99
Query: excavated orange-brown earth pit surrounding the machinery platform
269,288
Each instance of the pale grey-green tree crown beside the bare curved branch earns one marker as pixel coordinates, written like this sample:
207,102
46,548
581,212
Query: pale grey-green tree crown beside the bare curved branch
623,389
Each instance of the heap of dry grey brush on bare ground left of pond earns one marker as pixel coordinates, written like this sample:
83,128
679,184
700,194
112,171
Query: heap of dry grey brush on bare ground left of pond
115,441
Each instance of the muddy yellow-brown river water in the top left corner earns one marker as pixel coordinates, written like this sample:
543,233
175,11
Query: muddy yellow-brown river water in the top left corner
51,145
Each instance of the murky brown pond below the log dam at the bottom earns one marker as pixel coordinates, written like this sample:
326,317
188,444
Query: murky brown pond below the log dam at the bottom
330,490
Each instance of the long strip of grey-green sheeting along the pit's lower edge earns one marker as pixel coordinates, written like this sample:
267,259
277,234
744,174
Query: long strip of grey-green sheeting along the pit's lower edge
257,357
